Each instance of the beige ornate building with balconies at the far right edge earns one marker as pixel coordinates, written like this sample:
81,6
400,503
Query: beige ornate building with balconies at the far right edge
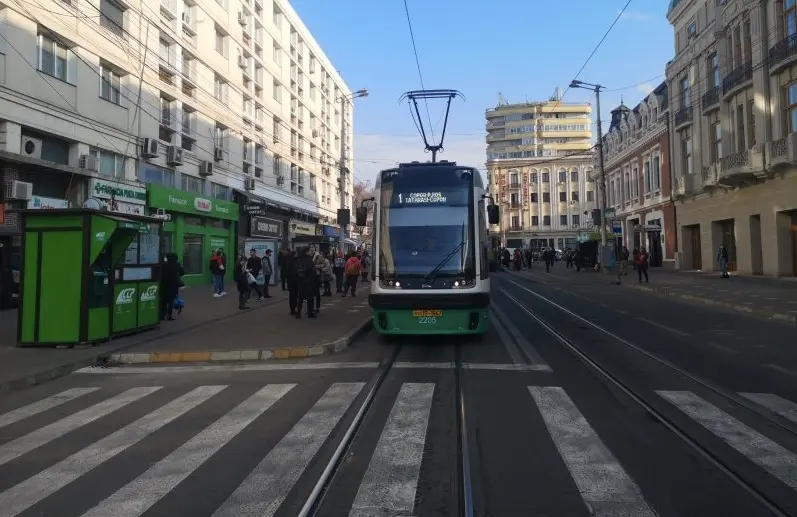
733,84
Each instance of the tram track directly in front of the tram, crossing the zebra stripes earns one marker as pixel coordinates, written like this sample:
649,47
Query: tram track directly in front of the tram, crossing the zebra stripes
333,470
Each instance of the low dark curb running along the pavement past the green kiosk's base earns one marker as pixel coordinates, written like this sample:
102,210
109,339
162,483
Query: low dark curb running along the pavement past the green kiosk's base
49,374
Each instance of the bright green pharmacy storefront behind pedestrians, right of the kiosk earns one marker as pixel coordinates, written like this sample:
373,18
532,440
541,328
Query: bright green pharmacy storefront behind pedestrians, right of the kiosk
197,227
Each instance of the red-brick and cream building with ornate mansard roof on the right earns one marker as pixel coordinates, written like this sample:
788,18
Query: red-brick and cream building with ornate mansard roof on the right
636,159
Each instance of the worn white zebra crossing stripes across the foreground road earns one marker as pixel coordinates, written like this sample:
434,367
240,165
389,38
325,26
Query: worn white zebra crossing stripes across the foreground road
388,484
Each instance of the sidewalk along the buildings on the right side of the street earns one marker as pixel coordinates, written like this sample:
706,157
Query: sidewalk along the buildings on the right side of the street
762,296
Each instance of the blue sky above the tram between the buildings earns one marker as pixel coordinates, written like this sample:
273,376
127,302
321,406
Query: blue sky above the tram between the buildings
521,49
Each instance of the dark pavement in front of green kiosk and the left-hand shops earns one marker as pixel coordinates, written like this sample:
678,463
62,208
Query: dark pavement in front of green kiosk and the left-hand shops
21,367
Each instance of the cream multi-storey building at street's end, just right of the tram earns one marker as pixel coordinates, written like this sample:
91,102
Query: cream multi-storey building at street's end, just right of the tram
539,167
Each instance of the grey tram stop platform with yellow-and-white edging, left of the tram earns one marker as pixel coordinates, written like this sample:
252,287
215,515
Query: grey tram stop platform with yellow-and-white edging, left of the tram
271,333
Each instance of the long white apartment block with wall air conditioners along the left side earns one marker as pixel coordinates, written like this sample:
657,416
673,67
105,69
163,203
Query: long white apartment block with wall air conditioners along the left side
224,100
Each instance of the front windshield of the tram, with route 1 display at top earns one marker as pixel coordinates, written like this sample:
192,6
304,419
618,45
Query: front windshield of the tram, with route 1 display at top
425,226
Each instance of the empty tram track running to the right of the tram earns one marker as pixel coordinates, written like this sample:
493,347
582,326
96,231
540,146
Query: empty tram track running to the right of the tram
648,402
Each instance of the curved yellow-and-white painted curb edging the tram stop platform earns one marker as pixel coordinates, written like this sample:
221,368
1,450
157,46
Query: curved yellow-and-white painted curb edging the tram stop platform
204,356
